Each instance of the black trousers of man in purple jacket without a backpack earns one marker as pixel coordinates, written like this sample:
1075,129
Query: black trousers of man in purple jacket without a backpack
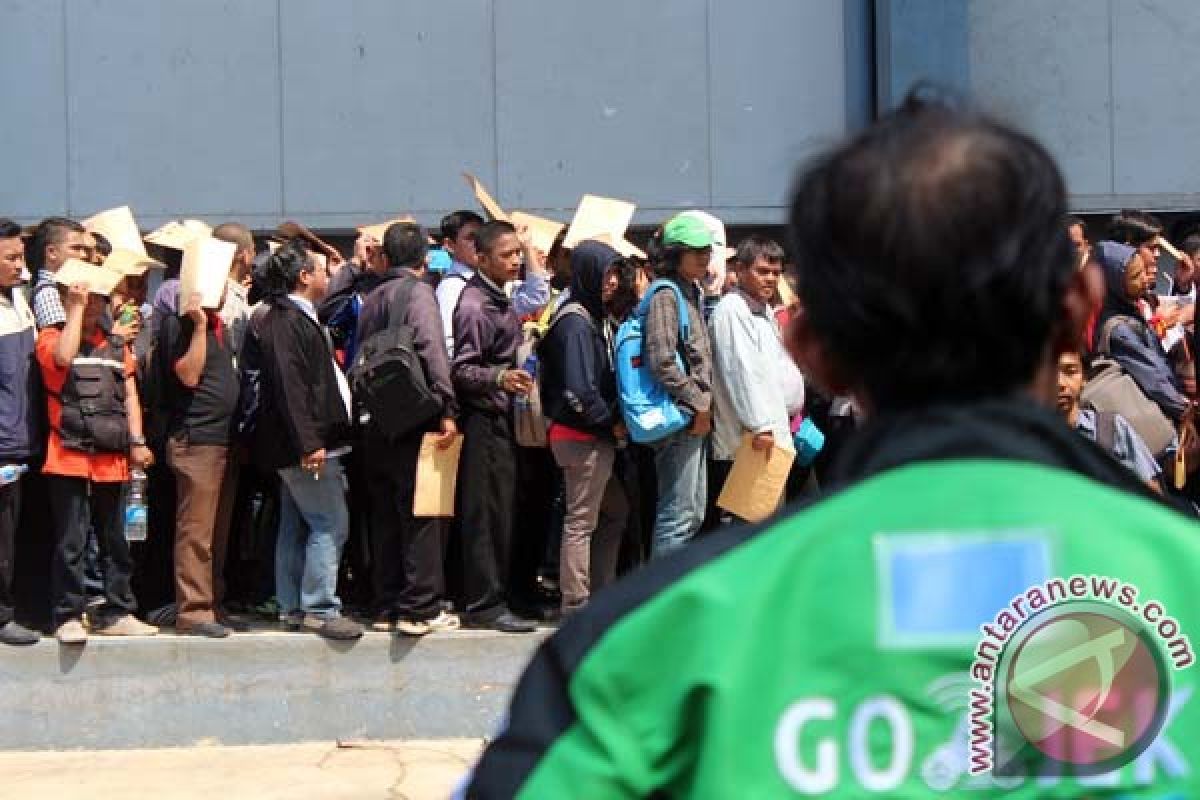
488,476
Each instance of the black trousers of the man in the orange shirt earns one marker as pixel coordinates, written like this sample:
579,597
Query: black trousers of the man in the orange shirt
75,503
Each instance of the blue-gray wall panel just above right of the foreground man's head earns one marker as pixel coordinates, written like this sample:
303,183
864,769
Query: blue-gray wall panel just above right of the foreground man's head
1046,68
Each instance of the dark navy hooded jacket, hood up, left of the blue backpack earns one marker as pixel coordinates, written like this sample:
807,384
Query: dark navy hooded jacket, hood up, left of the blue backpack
579,388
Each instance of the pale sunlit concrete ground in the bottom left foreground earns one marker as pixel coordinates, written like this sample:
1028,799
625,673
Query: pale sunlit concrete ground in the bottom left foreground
367,771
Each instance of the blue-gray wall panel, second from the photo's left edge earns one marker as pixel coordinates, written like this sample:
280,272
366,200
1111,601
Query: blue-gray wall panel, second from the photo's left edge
173,107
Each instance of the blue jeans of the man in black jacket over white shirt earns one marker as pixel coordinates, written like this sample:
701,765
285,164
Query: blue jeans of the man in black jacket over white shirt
314,527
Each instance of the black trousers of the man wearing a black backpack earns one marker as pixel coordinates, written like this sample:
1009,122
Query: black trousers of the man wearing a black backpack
406,551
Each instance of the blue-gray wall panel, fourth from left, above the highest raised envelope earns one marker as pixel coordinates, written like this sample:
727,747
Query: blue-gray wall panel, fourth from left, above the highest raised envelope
603,98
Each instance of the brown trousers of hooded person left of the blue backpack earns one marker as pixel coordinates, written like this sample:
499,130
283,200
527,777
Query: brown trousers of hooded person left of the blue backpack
597,513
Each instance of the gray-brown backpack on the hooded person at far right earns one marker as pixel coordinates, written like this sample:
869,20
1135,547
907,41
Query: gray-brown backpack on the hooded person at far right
1113,390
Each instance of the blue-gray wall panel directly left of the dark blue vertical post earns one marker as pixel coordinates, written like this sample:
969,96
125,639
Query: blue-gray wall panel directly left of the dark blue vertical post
763,128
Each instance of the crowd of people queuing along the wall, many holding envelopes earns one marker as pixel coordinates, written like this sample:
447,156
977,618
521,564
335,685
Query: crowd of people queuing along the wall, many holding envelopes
275,488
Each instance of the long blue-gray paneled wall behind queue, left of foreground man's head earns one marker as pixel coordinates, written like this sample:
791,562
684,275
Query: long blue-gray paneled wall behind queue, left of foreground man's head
340,112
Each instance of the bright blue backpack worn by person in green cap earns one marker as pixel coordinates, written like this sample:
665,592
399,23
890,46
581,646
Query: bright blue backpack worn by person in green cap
651,413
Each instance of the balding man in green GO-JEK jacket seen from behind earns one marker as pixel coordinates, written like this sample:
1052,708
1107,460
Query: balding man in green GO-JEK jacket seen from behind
987,605
